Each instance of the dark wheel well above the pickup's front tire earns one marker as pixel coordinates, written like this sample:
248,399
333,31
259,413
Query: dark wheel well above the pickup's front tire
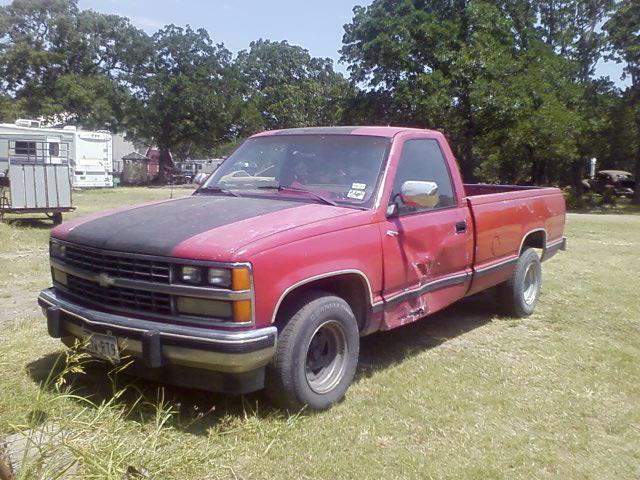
351,287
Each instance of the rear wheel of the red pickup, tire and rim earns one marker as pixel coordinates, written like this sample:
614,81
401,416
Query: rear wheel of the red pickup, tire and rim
519,294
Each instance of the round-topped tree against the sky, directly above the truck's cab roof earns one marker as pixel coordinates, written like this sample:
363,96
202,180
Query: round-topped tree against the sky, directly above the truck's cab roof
287,87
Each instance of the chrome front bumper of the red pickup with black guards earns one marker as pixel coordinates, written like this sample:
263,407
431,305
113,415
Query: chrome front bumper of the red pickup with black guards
163,351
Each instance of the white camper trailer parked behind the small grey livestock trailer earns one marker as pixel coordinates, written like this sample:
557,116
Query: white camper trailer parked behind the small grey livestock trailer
89,153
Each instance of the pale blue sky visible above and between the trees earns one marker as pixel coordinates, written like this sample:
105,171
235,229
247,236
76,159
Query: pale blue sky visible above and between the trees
317,25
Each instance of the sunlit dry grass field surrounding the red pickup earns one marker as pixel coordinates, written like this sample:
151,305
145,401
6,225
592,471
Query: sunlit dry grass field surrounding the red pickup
465,394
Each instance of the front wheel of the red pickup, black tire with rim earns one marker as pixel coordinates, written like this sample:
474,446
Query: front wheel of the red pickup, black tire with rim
317,354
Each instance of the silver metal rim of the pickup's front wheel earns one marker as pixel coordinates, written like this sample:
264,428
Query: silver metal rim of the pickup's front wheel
326,358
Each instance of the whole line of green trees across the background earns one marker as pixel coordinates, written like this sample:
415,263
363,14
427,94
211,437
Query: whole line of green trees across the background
510,82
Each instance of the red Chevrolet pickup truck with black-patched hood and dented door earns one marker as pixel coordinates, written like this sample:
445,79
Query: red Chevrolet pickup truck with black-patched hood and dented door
302,241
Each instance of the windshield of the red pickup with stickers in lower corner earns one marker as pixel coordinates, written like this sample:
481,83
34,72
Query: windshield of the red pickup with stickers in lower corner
340,169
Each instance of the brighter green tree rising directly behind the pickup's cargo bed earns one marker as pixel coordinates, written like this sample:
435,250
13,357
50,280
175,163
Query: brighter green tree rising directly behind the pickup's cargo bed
538,142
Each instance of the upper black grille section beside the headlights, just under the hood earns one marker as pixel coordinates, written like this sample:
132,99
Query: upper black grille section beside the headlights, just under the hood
117,265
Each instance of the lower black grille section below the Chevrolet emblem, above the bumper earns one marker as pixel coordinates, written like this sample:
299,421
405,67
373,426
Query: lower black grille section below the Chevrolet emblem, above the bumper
118,297
